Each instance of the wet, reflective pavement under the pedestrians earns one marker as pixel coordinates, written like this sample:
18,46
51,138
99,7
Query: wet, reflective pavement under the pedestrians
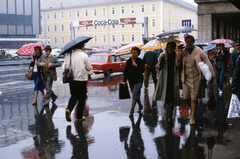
36,132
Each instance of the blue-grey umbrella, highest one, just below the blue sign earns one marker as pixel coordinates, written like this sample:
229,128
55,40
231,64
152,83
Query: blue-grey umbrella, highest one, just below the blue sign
176,31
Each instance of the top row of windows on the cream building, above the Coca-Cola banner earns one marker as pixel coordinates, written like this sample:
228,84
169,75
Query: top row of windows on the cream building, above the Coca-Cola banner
113,12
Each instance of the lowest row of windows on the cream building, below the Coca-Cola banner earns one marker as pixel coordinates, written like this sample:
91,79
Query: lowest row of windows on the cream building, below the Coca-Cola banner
104,40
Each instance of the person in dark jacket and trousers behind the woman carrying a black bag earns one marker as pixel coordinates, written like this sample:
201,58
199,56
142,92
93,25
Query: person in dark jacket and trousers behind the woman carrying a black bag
150,59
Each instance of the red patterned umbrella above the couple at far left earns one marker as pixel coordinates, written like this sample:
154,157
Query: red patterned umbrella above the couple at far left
28,49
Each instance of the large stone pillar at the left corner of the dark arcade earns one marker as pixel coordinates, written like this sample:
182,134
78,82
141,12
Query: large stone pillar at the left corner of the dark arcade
205,27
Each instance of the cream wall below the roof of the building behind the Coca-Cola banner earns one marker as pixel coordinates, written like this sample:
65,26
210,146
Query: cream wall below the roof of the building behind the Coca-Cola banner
158,19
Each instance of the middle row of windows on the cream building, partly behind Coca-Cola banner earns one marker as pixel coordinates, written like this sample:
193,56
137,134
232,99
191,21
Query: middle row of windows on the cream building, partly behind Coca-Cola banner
153,24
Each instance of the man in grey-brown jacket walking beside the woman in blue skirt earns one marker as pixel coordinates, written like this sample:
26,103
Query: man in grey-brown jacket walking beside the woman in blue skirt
48,72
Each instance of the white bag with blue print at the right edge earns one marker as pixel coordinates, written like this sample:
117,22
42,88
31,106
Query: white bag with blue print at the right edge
234,107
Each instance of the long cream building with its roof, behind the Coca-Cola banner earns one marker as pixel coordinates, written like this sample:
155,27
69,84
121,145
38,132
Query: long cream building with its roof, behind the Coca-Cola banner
56,18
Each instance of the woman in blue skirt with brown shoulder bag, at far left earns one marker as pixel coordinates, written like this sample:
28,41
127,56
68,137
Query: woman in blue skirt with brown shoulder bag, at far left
39,86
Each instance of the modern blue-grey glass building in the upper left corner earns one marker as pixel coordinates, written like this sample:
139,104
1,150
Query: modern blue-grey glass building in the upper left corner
19,19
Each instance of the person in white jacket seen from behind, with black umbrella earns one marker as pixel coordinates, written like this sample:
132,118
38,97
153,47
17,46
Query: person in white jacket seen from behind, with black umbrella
80,64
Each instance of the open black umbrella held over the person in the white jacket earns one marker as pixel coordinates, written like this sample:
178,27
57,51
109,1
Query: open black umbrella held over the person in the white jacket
74,44
